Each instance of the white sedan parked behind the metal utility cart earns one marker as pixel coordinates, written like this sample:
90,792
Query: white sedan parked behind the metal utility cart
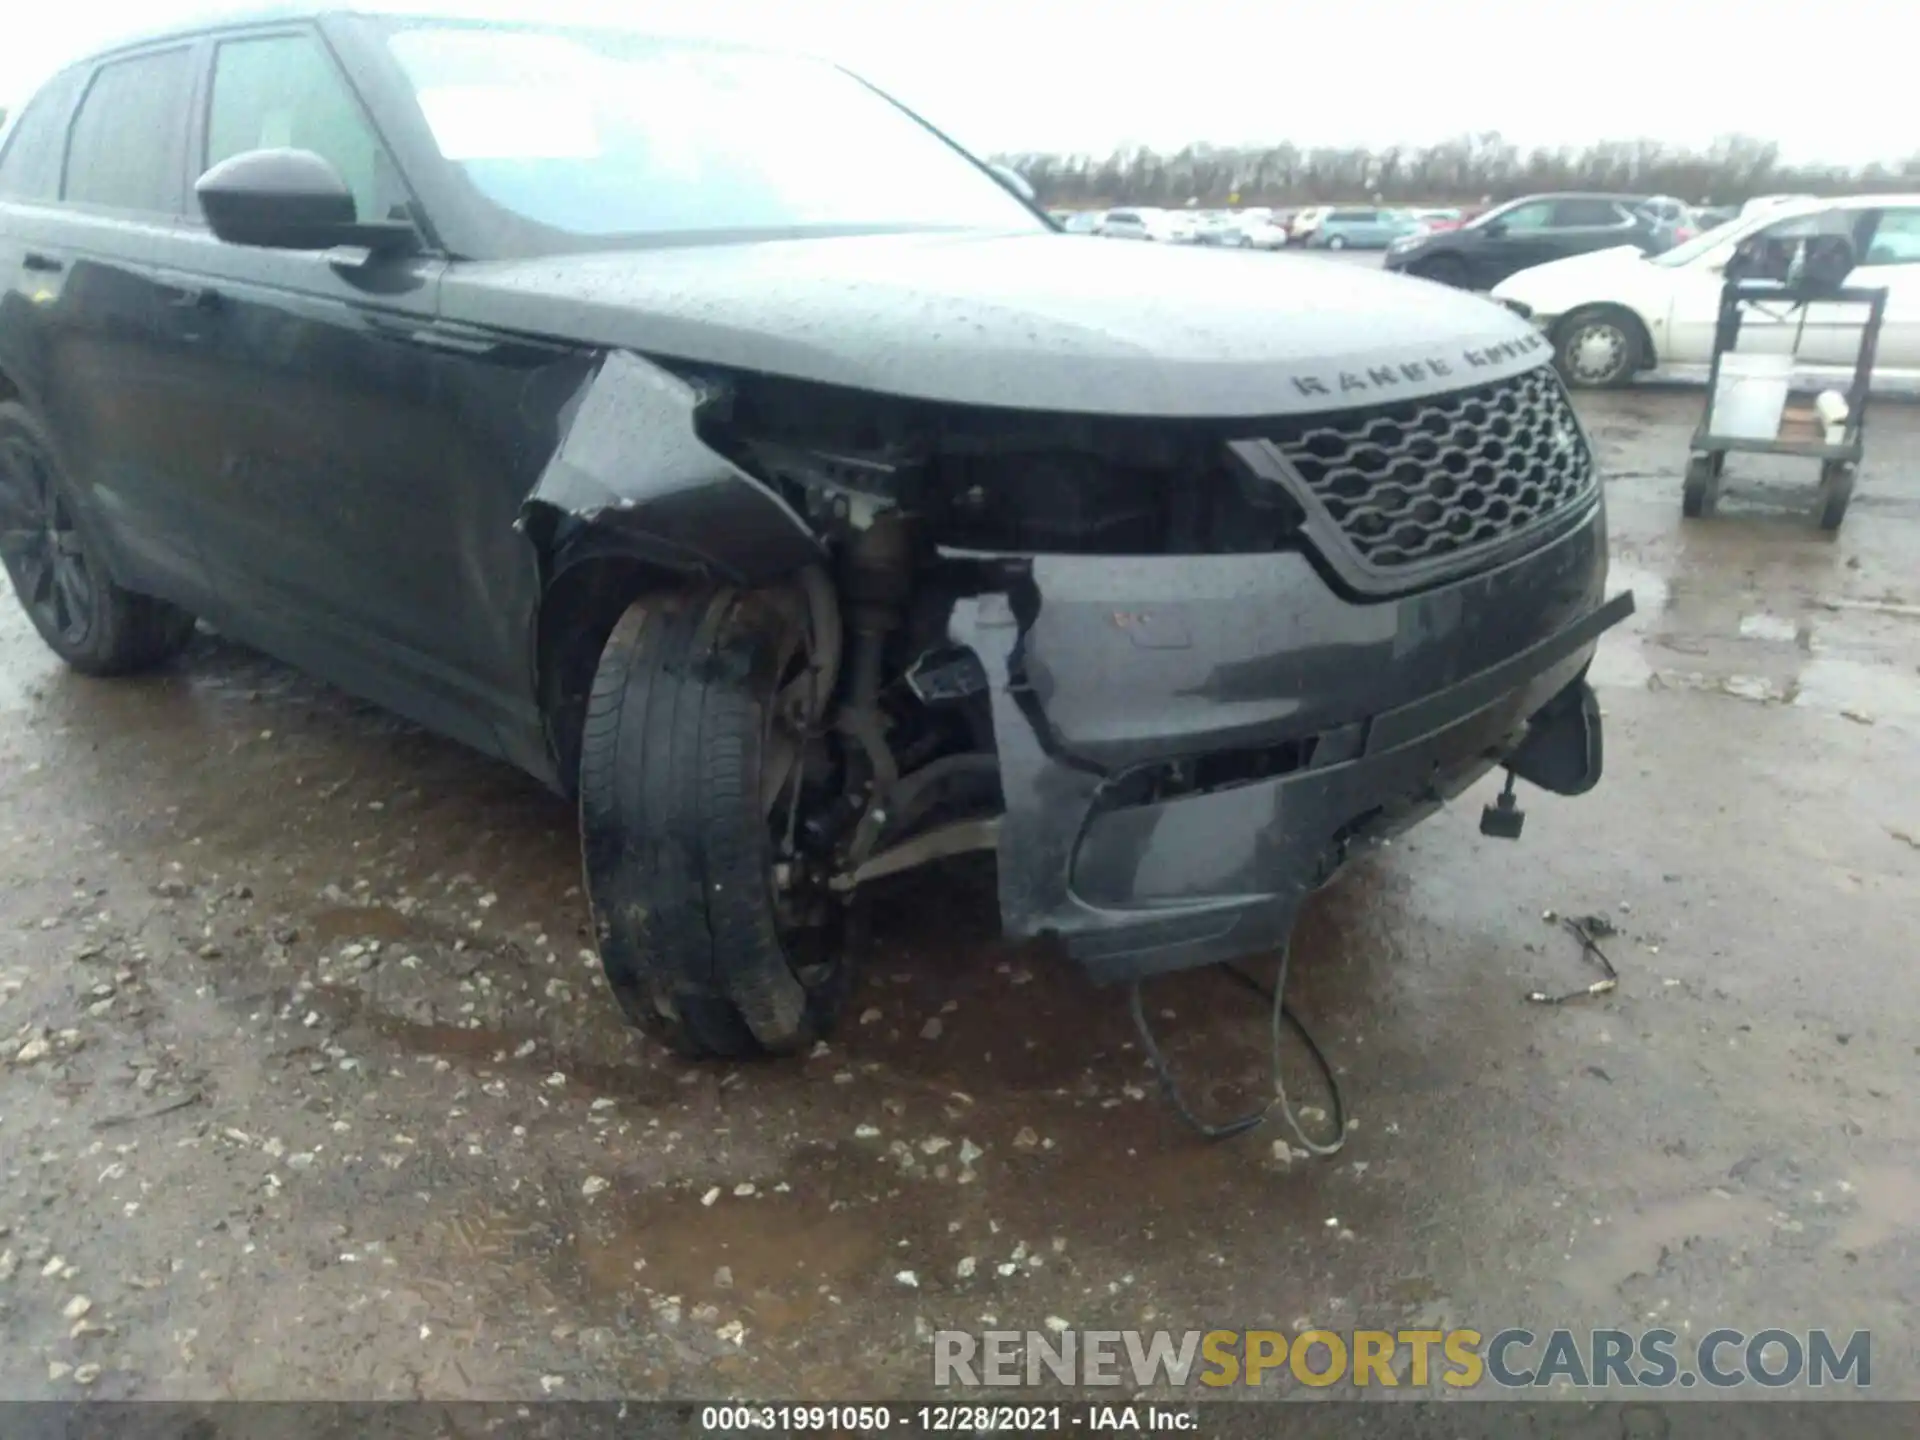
1614,314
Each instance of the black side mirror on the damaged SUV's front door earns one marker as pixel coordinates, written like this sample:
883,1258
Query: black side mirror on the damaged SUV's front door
289,201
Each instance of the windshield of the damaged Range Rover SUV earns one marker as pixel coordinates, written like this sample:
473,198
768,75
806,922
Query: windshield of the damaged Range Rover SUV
621,135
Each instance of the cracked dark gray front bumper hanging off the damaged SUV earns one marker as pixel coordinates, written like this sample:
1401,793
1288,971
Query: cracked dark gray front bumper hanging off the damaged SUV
1364,717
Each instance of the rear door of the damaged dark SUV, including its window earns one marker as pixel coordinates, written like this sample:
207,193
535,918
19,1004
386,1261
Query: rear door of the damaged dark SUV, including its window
105,325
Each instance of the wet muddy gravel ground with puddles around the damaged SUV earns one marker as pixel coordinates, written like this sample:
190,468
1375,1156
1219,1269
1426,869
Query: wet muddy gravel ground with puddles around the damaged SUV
312,1086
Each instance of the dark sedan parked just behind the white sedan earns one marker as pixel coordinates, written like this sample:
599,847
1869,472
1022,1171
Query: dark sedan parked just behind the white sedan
1524,233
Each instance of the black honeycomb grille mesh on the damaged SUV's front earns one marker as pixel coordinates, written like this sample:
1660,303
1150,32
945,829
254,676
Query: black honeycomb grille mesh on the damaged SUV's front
1426,481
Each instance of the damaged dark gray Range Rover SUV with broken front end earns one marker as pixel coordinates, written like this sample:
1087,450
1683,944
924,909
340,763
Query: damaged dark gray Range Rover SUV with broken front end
708,437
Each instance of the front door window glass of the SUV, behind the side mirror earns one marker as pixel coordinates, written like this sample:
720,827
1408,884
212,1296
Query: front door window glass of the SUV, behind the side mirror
283,91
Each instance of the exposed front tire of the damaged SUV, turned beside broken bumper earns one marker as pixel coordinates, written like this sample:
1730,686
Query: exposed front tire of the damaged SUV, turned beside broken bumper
677,842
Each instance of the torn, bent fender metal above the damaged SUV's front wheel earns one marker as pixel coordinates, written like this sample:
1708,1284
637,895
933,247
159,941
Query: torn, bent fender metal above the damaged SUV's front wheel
633,462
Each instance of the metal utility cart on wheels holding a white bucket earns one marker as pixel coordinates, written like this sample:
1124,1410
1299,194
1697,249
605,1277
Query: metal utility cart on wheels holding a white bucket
1802,433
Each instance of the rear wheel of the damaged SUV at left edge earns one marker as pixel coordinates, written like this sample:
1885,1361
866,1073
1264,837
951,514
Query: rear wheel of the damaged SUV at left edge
59,571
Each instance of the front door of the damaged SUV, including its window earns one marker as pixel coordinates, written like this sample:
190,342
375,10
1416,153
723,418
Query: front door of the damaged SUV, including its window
352,456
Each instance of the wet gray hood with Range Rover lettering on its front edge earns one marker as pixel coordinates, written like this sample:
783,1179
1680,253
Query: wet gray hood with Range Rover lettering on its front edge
1022,322
